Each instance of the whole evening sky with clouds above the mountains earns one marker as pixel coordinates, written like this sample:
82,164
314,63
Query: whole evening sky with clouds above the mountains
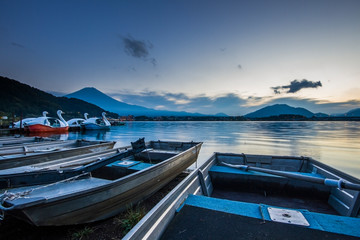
201,56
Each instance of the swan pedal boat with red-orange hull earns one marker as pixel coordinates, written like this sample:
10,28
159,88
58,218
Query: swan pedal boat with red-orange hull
47,124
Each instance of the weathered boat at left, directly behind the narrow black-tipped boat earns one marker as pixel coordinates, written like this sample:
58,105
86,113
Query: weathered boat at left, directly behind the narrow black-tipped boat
17,156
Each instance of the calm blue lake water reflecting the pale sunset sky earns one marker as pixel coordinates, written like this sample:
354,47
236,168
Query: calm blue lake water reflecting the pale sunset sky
334,143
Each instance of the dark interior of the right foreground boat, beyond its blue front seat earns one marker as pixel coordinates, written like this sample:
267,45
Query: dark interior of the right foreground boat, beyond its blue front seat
262,188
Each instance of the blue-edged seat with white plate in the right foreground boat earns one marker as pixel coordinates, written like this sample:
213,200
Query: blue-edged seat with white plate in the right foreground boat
204,217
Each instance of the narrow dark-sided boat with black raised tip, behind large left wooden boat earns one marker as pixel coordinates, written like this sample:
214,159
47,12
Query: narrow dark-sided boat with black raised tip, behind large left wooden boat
63,168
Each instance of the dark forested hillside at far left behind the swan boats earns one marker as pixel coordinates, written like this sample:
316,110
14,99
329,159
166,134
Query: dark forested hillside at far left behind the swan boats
21,99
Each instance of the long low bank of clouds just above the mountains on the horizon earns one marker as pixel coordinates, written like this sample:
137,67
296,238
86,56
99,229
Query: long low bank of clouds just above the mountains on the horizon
230,103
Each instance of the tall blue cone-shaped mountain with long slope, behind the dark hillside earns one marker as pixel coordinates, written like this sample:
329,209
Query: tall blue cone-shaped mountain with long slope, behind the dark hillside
94,96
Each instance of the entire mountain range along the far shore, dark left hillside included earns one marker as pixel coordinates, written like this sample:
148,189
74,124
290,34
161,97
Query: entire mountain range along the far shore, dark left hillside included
21,99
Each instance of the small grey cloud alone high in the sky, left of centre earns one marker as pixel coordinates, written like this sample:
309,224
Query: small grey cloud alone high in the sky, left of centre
138,49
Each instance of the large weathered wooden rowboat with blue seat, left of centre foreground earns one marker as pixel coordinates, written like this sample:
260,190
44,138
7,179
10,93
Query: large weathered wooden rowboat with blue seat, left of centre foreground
104,192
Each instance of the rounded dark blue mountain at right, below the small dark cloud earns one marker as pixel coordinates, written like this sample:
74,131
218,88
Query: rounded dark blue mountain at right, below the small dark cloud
279,109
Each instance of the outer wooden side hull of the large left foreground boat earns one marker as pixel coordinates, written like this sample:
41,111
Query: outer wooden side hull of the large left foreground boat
105,201
